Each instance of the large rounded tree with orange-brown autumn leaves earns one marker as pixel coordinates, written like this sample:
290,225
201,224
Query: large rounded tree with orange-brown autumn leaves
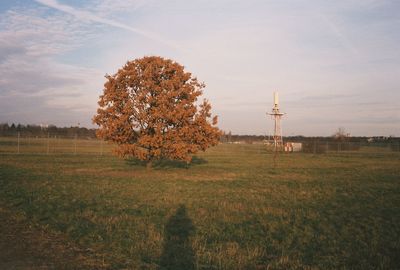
150,109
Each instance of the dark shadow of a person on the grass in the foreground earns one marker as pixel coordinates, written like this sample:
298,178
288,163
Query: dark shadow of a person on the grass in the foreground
178,252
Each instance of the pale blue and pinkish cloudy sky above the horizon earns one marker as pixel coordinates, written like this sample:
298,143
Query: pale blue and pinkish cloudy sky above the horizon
334,63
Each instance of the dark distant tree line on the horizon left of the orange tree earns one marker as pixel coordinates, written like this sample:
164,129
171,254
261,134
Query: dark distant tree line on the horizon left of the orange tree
44,131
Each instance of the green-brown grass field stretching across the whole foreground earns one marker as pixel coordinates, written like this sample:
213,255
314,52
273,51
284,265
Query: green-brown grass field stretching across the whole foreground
232,209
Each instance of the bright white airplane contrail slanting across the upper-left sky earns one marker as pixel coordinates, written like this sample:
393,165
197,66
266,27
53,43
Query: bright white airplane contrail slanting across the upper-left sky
88,16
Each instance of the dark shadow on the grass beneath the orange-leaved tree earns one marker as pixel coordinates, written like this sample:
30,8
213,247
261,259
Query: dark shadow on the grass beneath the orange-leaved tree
168,163
